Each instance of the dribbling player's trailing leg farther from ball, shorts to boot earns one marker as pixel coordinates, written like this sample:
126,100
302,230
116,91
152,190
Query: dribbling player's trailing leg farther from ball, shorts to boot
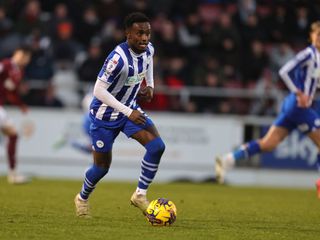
102,141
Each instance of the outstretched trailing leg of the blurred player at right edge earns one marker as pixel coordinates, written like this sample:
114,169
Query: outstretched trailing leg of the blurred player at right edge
273,137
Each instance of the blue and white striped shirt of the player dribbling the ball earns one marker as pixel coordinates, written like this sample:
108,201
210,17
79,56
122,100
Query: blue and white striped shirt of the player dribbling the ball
123,71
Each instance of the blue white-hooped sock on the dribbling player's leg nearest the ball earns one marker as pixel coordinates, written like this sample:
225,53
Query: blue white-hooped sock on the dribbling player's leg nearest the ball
150,162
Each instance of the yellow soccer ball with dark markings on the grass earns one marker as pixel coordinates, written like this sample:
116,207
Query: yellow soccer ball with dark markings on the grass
161,212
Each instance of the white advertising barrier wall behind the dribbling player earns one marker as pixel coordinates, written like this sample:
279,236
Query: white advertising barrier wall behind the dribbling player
192,141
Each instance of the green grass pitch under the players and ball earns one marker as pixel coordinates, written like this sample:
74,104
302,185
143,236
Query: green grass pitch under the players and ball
44,210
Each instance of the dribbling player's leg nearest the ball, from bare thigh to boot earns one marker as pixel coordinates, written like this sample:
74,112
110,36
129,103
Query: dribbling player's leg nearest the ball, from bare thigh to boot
155,147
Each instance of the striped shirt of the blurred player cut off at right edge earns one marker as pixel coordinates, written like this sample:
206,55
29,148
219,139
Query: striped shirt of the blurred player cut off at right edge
303,72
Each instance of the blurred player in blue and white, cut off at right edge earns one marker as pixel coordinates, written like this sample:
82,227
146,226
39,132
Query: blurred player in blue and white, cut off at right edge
301,75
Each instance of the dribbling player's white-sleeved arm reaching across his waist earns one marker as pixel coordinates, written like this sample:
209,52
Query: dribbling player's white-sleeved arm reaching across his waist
112,68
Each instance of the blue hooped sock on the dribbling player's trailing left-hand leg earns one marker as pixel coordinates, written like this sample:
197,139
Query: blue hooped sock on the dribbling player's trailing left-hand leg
92,177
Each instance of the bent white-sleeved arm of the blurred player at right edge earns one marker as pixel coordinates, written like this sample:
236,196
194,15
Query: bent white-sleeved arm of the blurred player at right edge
287,74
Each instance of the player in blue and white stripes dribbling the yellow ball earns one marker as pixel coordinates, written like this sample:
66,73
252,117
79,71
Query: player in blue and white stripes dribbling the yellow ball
114,109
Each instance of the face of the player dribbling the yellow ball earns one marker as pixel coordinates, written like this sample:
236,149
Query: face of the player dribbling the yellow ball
138,36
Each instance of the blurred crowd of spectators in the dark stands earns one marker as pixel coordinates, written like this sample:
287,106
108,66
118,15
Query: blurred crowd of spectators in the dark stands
213,44
